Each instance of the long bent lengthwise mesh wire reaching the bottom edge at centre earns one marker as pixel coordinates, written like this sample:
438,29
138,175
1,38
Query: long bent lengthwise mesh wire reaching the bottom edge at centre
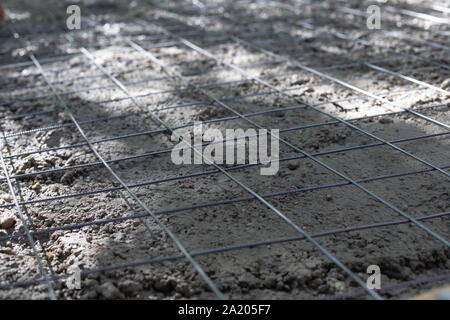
200,271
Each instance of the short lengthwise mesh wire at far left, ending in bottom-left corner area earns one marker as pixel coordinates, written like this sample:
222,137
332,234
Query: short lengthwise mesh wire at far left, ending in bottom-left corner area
24,223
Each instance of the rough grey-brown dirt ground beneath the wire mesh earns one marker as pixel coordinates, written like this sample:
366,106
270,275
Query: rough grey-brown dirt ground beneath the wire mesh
33,120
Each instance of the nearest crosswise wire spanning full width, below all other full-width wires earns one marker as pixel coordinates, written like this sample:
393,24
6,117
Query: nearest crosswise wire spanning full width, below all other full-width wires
160,259
